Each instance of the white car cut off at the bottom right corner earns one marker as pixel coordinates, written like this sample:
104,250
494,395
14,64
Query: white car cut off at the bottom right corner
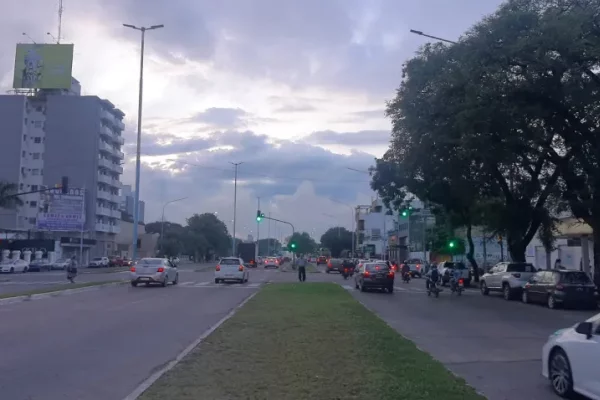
570,360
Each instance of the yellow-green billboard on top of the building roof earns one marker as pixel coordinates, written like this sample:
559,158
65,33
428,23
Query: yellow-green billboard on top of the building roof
43,66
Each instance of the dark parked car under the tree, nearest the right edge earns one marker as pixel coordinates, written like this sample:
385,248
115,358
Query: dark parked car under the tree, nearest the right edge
561,288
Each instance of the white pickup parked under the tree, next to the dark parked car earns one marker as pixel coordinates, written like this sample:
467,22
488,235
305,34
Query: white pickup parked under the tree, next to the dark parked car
508,278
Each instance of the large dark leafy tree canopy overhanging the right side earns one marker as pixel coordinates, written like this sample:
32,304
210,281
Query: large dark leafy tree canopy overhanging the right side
506,110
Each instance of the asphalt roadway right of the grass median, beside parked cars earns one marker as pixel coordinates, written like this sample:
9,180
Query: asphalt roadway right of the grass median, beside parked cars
493,344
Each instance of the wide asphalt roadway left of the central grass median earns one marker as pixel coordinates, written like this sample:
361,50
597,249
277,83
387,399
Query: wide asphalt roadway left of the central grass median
100,345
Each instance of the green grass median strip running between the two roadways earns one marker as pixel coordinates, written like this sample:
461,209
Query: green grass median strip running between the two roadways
307,341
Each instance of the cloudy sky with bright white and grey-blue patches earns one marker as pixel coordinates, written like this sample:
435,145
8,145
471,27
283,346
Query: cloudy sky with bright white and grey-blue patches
293,89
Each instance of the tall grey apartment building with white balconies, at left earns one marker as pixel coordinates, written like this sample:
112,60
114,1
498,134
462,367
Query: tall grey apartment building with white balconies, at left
52,134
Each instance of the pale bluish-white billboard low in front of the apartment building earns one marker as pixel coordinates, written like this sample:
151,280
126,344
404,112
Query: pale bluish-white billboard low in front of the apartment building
62,212
